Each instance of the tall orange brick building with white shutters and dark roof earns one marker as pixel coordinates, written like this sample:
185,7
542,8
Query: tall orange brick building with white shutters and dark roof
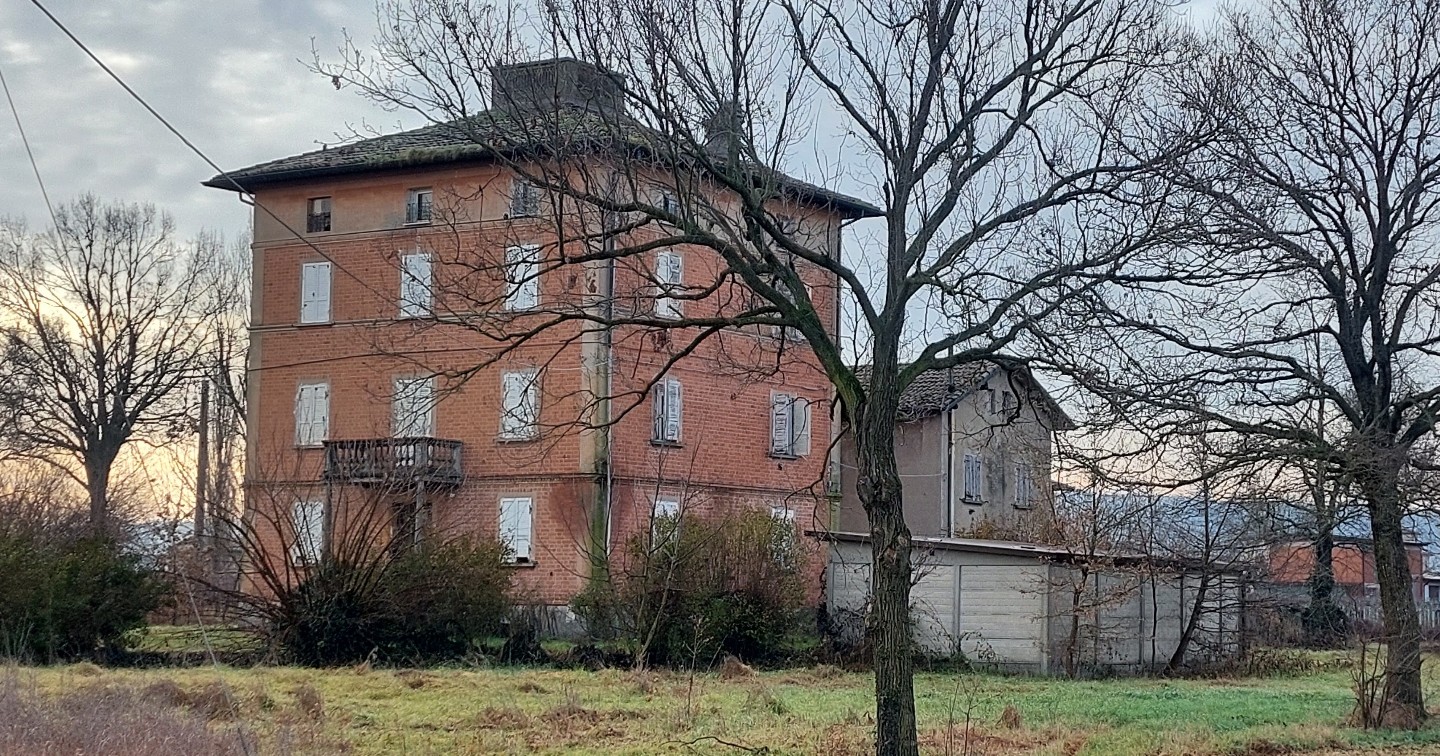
401,382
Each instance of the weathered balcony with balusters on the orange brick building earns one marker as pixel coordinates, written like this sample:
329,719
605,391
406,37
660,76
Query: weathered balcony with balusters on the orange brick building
394,462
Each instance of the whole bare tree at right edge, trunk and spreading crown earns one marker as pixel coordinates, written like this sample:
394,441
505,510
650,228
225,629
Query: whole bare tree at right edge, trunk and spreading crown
1315,217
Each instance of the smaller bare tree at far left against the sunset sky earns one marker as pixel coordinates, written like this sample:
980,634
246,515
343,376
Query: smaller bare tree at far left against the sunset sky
106,322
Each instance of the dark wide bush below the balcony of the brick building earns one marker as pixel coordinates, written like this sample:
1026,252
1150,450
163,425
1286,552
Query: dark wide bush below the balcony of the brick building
428,604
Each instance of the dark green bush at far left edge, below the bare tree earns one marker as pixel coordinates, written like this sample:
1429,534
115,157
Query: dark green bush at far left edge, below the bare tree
63,600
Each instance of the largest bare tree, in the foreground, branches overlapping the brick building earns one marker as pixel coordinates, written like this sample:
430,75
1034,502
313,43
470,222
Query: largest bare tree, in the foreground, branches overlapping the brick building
990,138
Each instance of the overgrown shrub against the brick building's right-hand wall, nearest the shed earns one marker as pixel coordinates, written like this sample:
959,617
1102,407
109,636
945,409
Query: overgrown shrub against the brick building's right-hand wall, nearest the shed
702,590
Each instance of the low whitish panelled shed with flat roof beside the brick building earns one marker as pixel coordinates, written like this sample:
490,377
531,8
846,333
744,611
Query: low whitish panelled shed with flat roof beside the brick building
1033,608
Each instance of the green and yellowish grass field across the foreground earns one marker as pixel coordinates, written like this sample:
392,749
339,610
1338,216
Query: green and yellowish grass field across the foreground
817,711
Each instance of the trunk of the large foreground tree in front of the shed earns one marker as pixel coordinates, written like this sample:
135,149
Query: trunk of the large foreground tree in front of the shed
889,629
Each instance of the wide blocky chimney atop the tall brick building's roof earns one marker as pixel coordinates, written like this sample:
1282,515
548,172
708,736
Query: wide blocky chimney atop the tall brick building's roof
549,86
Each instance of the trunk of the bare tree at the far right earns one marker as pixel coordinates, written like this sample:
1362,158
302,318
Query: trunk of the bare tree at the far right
1405,698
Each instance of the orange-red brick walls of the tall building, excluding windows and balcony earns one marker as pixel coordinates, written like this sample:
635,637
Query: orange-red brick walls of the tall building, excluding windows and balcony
722,463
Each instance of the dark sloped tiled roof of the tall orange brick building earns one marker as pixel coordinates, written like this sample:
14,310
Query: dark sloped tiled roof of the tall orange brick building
483,138
